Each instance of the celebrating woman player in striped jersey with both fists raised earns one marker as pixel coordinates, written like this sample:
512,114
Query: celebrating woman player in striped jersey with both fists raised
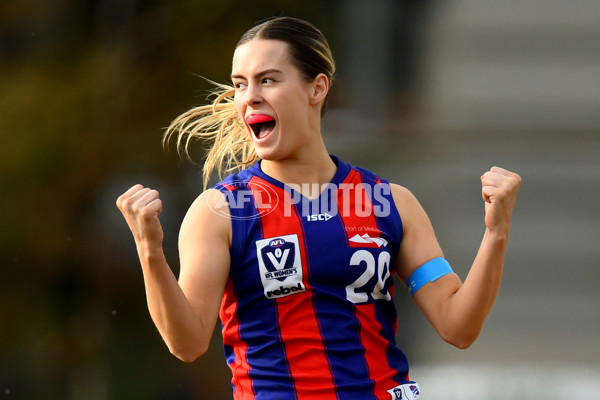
296,250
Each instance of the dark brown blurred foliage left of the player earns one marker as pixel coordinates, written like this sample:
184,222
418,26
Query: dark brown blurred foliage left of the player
85,90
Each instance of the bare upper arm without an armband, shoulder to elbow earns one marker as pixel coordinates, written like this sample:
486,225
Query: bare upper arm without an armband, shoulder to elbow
204,243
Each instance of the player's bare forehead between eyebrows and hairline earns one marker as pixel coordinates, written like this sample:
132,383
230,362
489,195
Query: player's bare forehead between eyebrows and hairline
260,54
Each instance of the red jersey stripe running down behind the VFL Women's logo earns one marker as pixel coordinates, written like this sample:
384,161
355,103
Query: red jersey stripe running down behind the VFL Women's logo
298,324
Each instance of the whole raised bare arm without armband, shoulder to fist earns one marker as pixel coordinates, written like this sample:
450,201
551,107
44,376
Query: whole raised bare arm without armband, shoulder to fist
184,312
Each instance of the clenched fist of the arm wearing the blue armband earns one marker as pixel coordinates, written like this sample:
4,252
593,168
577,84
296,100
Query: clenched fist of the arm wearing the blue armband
499,190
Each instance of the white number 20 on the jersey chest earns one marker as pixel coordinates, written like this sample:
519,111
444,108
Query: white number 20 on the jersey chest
356,292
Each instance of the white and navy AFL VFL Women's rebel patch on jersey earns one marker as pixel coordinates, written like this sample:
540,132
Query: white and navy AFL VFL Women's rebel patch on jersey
280,266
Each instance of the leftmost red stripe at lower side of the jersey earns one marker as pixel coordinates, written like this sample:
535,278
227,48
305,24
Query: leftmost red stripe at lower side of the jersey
240,367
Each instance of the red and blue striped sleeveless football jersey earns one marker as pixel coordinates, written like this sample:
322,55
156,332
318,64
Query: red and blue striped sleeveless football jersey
307,311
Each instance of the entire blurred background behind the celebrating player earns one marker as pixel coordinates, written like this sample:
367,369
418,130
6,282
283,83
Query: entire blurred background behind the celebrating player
429,94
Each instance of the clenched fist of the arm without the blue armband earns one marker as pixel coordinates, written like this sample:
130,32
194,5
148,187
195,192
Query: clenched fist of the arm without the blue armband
140,207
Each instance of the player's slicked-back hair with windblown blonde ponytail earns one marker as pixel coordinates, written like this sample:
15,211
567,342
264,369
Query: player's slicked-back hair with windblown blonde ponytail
232,148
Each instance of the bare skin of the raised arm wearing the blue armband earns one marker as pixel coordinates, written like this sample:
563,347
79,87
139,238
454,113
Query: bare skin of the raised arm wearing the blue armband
458,310
